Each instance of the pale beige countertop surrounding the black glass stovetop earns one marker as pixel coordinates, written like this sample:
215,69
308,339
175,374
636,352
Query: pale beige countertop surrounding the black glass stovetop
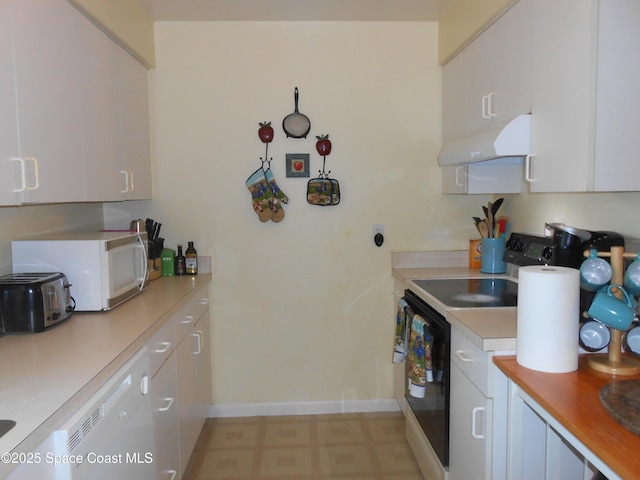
491,329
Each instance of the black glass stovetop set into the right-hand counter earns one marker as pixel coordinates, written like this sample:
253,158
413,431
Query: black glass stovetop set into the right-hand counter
472,292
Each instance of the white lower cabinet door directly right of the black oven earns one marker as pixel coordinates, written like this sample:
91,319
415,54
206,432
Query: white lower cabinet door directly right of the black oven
470,430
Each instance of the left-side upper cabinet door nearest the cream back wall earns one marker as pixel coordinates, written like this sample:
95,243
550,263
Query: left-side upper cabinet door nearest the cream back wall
134,156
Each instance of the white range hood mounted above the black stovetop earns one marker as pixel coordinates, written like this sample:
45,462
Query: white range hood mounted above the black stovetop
512,139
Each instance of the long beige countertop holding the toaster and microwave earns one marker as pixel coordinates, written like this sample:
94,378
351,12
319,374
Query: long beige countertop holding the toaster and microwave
47,376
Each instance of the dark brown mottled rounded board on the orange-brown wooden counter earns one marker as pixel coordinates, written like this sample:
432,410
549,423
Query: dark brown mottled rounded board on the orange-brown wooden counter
621,400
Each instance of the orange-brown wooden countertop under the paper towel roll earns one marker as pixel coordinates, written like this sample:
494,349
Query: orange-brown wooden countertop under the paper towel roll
573,400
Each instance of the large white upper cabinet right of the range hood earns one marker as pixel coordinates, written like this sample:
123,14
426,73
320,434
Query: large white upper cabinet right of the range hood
586,73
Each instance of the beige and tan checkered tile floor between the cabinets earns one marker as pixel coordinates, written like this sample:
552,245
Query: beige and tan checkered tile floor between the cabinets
364,446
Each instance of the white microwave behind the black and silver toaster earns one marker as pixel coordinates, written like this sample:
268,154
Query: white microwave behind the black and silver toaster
103,268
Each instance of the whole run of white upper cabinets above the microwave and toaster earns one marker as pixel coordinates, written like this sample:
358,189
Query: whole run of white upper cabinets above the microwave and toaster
79,108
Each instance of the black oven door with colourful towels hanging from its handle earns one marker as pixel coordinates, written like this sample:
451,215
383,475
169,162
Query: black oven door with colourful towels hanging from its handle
429,404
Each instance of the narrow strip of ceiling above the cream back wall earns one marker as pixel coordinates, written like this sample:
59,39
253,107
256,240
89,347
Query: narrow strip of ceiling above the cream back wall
294,10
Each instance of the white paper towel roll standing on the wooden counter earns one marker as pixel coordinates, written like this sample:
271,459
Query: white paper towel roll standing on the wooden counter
548,318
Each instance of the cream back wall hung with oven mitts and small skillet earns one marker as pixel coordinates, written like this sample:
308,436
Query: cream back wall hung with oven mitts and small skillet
302,310
